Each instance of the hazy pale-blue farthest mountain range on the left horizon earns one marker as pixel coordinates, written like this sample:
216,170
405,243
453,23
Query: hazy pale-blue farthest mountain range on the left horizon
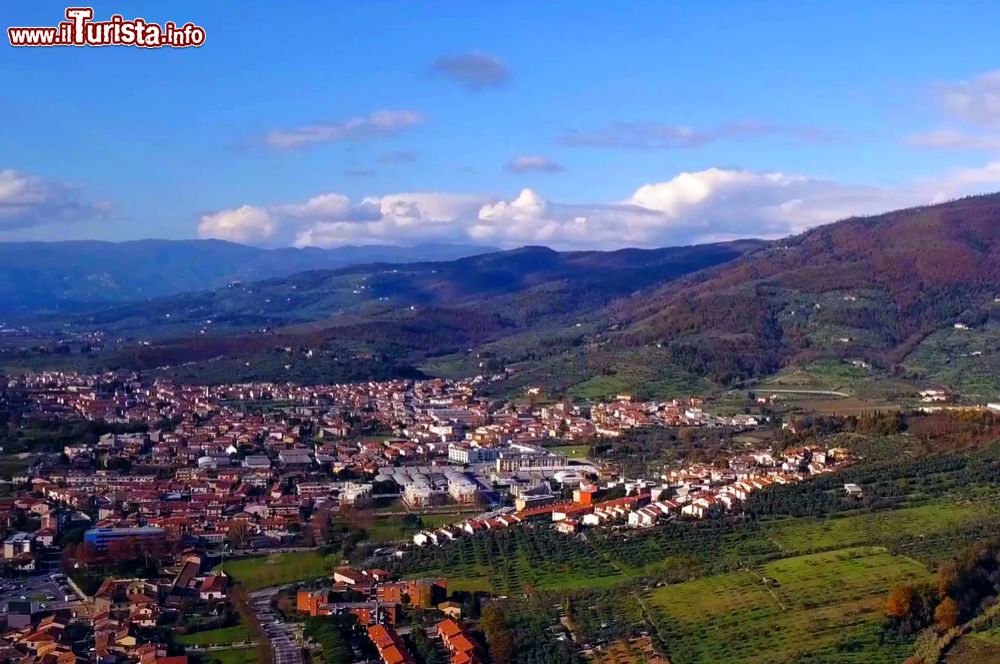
40,276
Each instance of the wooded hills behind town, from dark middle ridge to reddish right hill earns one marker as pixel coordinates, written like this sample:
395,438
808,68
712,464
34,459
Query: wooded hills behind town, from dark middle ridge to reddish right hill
912,294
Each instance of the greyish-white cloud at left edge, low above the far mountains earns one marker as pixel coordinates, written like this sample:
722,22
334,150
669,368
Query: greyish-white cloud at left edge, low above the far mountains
28,200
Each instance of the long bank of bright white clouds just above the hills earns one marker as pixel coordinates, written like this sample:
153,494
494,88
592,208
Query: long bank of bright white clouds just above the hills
702,206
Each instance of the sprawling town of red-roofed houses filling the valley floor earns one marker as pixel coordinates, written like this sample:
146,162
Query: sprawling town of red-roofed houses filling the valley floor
114,536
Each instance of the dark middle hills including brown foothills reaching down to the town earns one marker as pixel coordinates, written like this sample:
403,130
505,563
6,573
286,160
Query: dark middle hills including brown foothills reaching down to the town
384,319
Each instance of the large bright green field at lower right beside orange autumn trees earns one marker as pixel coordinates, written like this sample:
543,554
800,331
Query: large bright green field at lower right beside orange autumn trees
820,607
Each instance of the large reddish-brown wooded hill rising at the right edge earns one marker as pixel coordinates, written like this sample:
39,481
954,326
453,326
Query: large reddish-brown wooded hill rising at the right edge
871,288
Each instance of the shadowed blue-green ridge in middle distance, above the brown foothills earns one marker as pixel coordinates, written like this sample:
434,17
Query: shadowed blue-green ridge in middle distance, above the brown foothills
515,286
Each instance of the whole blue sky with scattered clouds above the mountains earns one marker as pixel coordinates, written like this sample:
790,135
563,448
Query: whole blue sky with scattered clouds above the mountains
569,124
